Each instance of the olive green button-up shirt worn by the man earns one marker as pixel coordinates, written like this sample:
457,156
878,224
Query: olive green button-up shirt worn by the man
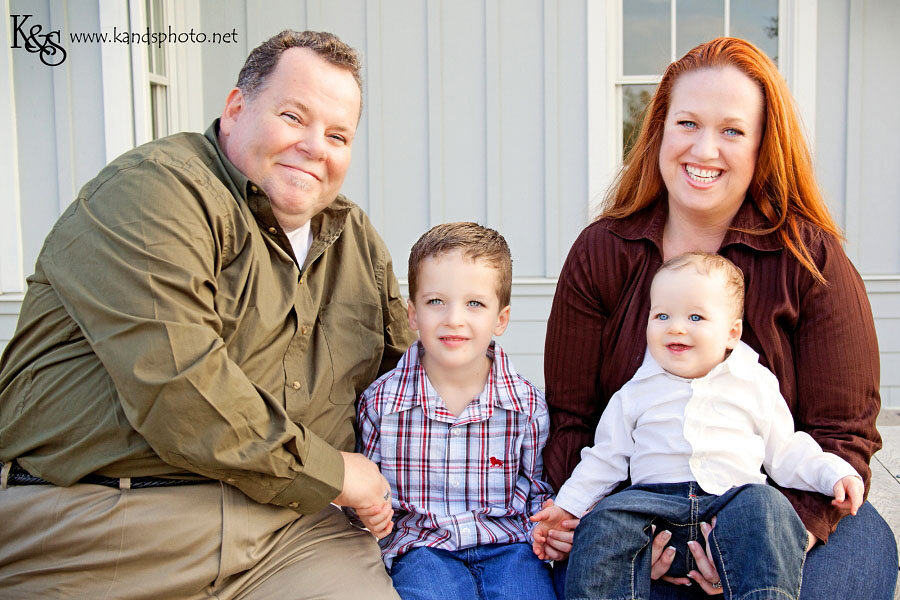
167,330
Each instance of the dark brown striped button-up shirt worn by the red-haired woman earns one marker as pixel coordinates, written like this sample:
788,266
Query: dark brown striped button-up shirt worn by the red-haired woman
819,340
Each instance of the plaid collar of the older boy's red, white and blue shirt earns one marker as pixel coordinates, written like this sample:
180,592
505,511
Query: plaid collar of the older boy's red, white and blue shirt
416,390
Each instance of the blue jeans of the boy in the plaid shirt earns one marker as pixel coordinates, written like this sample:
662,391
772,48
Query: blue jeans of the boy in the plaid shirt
490,572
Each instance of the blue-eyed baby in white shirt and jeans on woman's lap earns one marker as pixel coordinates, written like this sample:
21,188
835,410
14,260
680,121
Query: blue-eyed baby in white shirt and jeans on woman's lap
694,425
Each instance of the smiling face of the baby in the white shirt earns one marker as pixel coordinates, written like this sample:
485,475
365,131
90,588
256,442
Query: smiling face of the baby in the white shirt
692,323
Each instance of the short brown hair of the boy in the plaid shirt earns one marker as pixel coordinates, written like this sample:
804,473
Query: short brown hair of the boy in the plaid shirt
475,242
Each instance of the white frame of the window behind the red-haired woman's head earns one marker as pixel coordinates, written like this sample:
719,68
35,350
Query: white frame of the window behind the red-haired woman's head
797,25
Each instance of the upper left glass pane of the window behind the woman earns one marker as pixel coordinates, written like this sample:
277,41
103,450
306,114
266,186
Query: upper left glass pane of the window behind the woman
646,36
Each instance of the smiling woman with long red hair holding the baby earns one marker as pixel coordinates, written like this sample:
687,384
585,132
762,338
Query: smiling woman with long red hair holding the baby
721,165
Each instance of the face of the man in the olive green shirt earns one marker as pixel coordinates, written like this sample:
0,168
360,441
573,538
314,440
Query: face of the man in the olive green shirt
293,138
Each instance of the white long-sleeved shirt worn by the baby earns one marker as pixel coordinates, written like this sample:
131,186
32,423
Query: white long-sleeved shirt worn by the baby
717,430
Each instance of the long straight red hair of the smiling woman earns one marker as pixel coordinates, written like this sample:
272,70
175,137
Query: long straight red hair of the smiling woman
783,187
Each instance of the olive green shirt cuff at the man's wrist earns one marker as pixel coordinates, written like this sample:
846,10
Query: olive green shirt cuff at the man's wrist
320,482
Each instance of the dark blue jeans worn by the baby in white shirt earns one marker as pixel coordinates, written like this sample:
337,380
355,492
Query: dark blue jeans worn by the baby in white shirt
758,544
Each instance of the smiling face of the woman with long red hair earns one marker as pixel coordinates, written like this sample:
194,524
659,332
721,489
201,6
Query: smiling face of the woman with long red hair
710,141
